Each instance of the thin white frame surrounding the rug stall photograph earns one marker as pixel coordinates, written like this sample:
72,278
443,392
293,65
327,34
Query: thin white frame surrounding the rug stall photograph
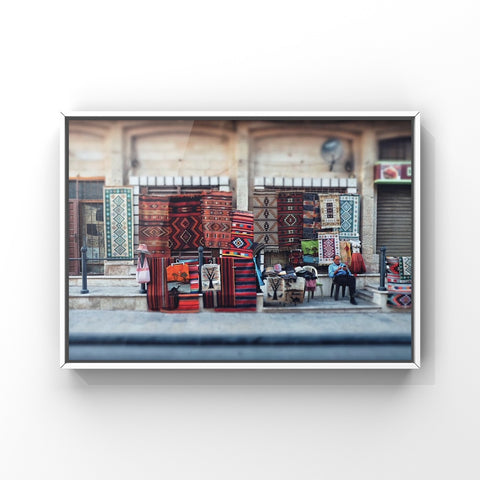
415,364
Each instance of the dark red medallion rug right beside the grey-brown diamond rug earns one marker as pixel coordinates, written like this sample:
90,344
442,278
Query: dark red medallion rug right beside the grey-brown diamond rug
290,220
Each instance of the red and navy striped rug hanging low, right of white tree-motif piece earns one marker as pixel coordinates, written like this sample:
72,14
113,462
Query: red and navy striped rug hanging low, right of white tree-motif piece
245,287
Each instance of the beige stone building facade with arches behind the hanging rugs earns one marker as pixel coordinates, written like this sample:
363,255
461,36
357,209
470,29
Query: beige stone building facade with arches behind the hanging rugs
242,155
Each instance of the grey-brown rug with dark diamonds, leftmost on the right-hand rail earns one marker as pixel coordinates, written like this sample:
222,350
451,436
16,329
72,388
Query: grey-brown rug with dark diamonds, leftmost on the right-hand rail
265,213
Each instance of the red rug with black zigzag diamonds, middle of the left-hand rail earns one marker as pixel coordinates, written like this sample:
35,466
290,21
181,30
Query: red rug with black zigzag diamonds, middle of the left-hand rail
185,219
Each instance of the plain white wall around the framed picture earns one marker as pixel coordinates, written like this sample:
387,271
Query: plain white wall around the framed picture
250,55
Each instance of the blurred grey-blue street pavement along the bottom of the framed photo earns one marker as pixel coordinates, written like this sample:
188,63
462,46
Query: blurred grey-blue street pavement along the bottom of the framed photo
309,336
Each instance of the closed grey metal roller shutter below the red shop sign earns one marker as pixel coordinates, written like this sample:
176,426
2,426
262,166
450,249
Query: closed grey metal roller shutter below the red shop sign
394,219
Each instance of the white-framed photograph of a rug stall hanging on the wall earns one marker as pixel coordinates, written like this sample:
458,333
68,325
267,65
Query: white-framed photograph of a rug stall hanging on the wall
240,240
